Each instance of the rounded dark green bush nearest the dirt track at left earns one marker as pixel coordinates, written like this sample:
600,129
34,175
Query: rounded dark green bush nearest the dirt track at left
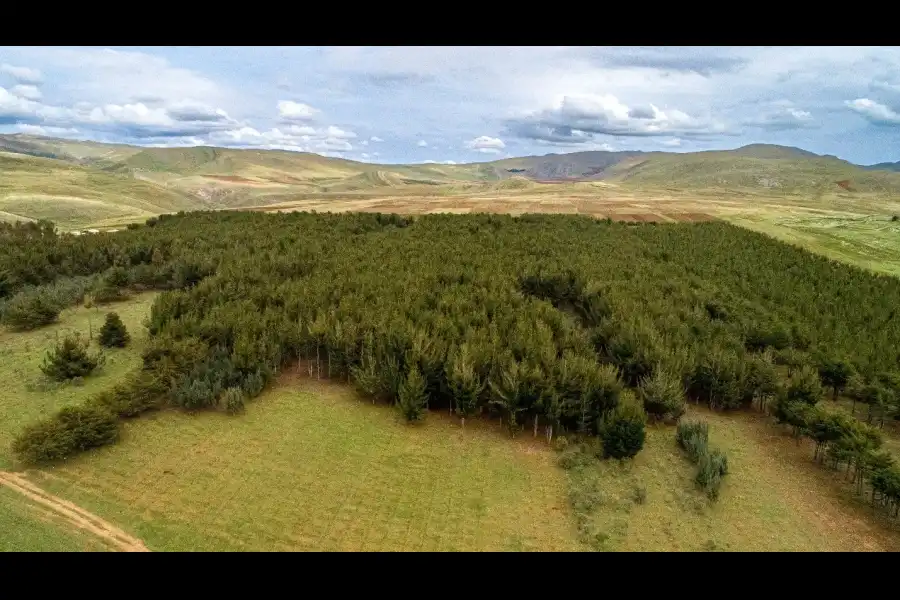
73,429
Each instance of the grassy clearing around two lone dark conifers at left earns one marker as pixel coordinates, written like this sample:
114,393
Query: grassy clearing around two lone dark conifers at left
27,395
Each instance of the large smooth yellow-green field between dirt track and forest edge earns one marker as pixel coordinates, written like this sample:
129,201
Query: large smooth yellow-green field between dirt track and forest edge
311,467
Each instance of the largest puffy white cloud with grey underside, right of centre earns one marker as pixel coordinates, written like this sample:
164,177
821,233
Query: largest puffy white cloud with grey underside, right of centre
577,119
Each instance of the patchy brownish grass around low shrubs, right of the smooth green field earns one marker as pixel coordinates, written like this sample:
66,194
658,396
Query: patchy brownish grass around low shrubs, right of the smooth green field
774,498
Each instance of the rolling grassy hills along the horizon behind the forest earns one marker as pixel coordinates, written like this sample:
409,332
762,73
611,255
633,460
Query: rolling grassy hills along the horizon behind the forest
80,184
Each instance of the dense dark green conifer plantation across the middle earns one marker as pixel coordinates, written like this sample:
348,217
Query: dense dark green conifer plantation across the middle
543,321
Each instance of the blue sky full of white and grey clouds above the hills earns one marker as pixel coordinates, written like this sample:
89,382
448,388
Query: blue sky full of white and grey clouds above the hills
460,104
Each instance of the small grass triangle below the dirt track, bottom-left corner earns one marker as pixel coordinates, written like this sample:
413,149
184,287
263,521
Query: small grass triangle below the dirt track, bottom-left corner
28,528
